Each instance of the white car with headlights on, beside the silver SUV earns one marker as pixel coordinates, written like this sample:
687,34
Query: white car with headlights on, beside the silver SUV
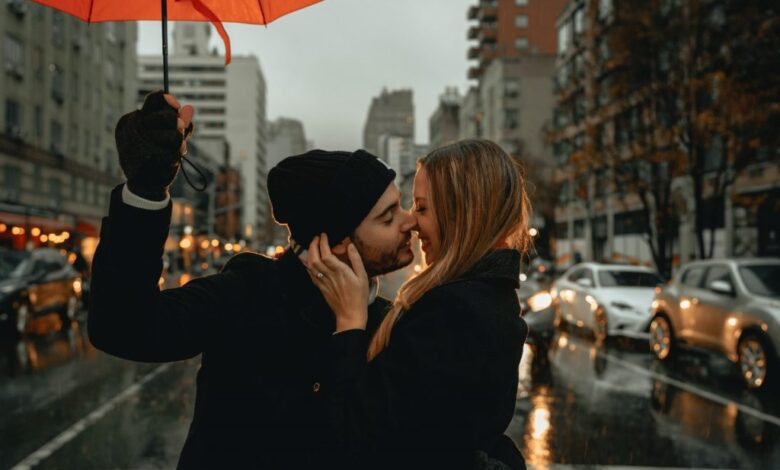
609,299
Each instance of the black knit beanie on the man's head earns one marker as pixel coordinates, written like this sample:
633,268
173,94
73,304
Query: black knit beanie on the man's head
330,192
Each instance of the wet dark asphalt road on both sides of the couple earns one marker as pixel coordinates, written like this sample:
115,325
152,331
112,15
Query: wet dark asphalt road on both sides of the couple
64,405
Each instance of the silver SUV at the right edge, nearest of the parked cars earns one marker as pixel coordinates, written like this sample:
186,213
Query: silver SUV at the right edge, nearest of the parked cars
729,306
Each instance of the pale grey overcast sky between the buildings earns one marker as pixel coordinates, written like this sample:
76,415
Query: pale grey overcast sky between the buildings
323,64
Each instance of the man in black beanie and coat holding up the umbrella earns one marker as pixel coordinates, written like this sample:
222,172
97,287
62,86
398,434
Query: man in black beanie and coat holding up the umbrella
261,326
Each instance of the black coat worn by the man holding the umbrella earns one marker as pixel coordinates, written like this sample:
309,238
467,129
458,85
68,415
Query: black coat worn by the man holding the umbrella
262,328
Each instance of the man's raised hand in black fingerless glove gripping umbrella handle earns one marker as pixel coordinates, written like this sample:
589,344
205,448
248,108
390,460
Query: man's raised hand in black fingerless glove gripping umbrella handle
151,142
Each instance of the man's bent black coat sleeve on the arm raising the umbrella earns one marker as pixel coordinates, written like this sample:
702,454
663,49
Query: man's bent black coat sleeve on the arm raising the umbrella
129,316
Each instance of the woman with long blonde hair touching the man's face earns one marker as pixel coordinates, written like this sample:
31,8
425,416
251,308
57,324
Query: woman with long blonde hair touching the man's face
436,385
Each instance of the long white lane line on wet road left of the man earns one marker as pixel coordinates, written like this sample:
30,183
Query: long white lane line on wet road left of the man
81,425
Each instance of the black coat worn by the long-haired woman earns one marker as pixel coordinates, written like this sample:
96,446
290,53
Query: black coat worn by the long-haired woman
445,387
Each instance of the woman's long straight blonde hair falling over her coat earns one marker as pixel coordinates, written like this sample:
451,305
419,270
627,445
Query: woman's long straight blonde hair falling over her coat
478,196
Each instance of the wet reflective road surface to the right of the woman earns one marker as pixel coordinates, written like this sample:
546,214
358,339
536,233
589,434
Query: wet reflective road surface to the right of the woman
584,404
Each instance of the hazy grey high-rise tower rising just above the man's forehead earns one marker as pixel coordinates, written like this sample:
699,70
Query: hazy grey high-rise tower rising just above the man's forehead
392,112
